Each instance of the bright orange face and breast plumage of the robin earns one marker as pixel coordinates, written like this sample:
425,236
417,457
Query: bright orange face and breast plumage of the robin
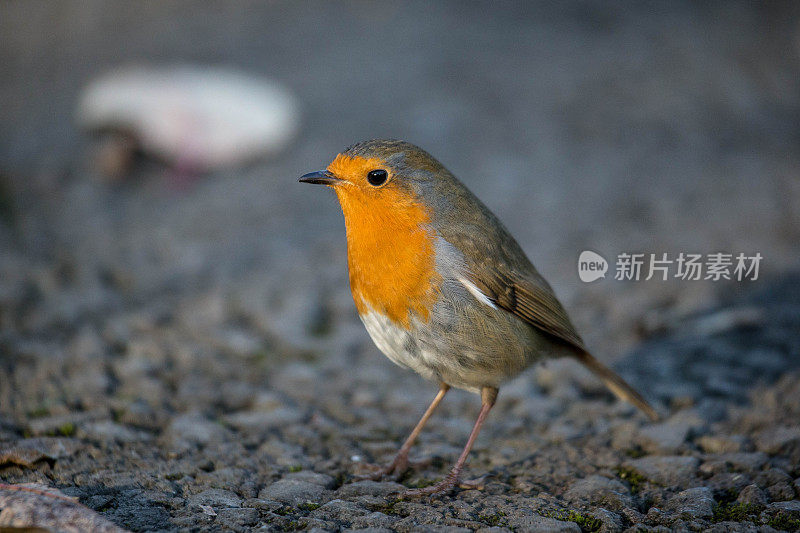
390,253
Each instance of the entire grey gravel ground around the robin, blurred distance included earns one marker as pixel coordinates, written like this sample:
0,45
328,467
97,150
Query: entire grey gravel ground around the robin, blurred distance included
191,359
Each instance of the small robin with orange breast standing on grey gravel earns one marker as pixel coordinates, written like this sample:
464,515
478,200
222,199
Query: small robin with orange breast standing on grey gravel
442,287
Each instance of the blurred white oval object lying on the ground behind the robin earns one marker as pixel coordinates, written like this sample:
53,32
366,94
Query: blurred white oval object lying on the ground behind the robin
200,118
